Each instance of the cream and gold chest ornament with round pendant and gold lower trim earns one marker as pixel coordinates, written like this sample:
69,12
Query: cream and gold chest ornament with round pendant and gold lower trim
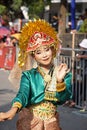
50,83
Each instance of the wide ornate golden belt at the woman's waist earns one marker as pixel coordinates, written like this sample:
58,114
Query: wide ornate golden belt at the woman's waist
43,110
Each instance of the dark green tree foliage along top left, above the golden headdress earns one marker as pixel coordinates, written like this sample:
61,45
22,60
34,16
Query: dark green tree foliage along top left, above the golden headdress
36,7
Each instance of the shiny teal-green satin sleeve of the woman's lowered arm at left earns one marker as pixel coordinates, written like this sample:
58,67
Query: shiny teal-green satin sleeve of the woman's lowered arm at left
24,90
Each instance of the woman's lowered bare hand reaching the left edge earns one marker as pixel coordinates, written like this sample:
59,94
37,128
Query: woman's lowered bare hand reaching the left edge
8,115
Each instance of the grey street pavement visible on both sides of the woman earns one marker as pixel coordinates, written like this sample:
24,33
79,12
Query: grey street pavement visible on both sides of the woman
70,118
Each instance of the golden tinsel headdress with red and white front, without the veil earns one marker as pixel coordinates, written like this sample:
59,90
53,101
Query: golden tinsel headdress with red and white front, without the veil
33,34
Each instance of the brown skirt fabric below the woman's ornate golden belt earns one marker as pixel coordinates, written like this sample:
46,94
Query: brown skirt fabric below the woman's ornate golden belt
27,121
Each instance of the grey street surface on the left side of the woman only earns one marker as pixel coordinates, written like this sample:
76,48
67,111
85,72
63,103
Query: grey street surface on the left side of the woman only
7,92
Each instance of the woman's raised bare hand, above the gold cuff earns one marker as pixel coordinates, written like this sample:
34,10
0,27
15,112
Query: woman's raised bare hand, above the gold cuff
62,70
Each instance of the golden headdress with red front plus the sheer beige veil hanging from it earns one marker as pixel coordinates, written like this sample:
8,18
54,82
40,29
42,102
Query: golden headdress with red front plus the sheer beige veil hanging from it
32,34
